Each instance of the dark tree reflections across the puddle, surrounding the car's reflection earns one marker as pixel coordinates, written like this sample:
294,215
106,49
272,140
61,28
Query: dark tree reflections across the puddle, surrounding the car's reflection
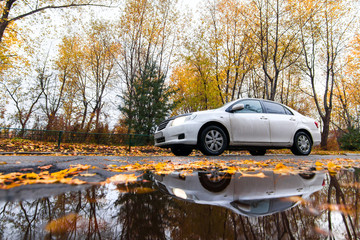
154,215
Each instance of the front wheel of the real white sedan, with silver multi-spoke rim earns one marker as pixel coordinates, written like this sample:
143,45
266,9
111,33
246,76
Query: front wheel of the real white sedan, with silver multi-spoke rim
213,141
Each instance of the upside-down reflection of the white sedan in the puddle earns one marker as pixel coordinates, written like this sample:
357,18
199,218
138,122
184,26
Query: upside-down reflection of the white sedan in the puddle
246,194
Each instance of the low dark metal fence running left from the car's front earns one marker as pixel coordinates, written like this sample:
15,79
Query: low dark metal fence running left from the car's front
77,137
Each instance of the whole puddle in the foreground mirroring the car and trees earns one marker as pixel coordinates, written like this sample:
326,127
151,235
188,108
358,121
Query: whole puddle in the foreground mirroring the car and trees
201,205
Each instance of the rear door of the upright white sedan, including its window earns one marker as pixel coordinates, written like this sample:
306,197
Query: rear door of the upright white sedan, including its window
282,123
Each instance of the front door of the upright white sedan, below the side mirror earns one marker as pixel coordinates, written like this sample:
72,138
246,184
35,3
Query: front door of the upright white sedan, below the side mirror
250,126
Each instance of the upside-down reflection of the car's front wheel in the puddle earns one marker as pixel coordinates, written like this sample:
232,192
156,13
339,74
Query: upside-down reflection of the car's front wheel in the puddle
214,181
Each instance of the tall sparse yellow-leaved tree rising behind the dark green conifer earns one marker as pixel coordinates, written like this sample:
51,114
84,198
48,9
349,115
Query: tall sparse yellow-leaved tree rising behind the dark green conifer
147,36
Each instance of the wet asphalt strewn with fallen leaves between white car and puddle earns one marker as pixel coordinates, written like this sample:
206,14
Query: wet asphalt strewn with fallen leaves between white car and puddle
25,164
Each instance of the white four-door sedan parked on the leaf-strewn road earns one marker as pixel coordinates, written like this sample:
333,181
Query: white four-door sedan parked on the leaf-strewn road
252,124
